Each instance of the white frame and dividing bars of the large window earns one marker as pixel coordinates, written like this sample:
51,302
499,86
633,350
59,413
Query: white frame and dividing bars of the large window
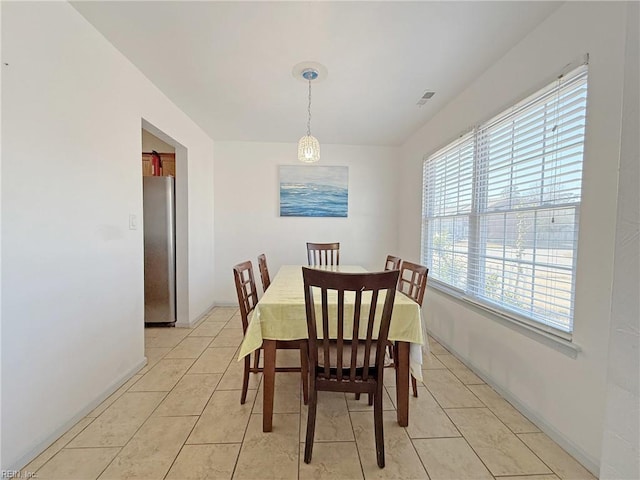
474,266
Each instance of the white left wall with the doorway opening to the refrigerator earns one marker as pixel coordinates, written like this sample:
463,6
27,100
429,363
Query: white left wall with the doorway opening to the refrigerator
72,290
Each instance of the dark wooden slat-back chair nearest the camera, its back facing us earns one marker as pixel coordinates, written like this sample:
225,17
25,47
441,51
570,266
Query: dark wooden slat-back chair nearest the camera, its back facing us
353,360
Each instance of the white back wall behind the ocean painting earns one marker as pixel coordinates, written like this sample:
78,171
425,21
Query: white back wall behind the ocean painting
247,209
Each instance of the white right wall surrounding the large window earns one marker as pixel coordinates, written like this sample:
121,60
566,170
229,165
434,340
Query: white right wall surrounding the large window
565,396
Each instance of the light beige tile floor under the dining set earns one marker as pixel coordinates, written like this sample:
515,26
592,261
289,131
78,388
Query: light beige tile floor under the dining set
180,418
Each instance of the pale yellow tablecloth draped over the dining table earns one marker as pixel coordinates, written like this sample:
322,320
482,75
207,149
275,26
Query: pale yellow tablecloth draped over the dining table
280,315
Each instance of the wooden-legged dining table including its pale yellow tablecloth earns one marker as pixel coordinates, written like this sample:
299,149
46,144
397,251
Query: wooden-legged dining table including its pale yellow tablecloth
281,315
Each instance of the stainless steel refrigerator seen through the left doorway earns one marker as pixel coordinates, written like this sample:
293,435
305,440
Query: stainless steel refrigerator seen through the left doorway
159,249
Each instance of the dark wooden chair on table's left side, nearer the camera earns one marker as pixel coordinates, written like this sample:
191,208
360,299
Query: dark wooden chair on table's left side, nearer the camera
247,300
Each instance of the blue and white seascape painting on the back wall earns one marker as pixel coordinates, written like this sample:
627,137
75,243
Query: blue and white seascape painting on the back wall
311,191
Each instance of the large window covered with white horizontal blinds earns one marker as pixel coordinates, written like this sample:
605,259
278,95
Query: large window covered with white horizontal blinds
501,208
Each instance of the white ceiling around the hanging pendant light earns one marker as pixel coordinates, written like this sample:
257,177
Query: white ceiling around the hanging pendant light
228,65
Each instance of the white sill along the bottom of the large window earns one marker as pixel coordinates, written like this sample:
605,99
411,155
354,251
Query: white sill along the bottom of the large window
562,345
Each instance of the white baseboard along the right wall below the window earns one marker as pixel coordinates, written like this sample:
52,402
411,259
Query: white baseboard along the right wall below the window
576,452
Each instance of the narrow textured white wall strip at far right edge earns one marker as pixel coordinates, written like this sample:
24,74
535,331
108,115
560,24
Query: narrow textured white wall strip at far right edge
622,420
